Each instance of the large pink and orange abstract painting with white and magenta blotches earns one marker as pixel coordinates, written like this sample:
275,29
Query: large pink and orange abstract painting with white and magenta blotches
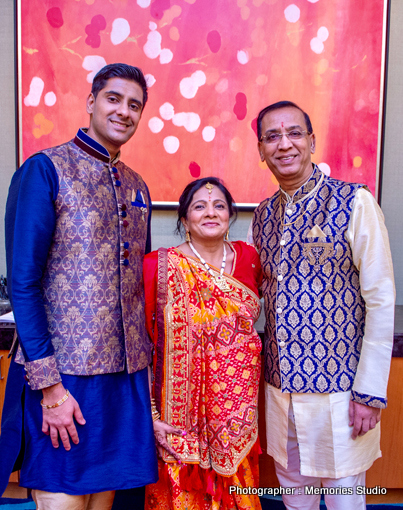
211,66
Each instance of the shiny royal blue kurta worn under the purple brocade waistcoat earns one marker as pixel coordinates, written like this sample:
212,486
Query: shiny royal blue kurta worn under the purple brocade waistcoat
116,449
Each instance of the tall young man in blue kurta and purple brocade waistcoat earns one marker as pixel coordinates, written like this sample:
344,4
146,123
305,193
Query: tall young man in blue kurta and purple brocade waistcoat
77,229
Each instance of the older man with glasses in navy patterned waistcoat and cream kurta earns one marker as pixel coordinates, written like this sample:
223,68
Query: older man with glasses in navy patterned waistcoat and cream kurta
329,303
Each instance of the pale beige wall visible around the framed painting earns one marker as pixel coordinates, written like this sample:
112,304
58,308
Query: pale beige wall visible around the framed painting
164,222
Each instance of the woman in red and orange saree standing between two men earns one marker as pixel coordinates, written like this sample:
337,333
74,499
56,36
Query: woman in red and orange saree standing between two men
201,304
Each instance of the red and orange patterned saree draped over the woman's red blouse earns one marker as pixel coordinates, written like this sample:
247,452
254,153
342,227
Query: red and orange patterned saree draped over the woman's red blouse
207,371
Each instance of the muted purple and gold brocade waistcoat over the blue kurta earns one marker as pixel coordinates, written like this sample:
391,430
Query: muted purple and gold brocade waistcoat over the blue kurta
93,286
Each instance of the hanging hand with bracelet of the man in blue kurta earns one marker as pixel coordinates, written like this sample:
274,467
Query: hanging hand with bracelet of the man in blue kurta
60,420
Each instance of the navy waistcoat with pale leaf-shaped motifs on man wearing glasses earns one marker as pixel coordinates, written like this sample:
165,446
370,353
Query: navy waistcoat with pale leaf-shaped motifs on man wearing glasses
314,309
